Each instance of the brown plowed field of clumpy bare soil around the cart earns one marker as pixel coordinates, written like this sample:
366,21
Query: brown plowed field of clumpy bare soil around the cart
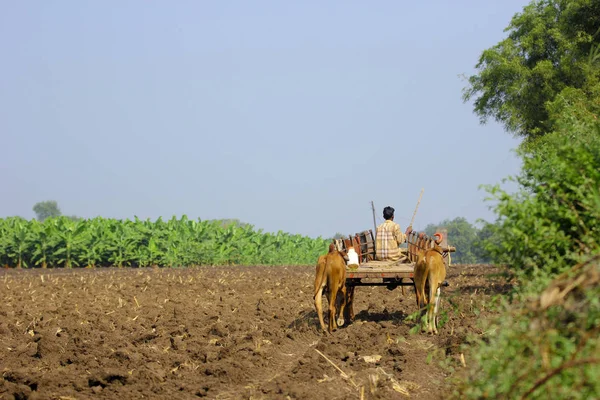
223,333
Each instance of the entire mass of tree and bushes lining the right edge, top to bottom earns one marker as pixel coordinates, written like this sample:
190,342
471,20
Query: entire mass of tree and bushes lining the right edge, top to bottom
542,83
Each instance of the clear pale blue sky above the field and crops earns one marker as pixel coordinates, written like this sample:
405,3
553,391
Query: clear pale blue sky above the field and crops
288,115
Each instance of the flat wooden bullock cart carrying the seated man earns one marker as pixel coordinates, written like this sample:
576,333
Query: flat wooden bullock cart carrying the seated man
371,272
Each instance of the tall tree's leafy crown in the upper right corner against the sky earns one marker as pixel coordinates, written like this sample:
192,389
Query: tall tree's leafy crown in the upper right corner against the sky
544,71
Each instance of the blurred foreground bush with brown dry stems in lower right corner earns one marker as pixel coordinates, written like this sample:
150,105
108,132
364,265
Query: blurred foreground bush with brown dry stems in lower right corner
545,348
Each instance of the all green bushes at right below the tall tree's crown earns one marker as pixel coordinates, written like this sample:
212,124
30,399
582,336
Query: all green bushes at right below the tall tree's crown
548,233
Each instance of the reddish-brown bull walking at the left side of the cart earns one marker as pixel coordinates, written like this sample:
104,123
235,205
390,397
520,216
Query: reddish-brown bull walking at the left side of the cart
331,274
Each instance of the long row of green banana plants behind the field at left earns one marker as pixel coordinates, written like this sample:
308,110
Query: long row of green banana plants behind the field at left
101,242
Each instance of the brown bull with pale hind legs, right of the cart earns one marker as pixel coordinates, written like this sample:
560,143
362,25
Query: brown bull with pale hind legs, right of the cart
430,272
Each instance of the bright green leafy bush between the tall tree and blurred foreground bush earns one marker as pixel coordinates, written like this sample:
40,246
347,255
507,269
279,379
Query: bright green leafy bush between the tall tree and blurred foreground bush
555,217
